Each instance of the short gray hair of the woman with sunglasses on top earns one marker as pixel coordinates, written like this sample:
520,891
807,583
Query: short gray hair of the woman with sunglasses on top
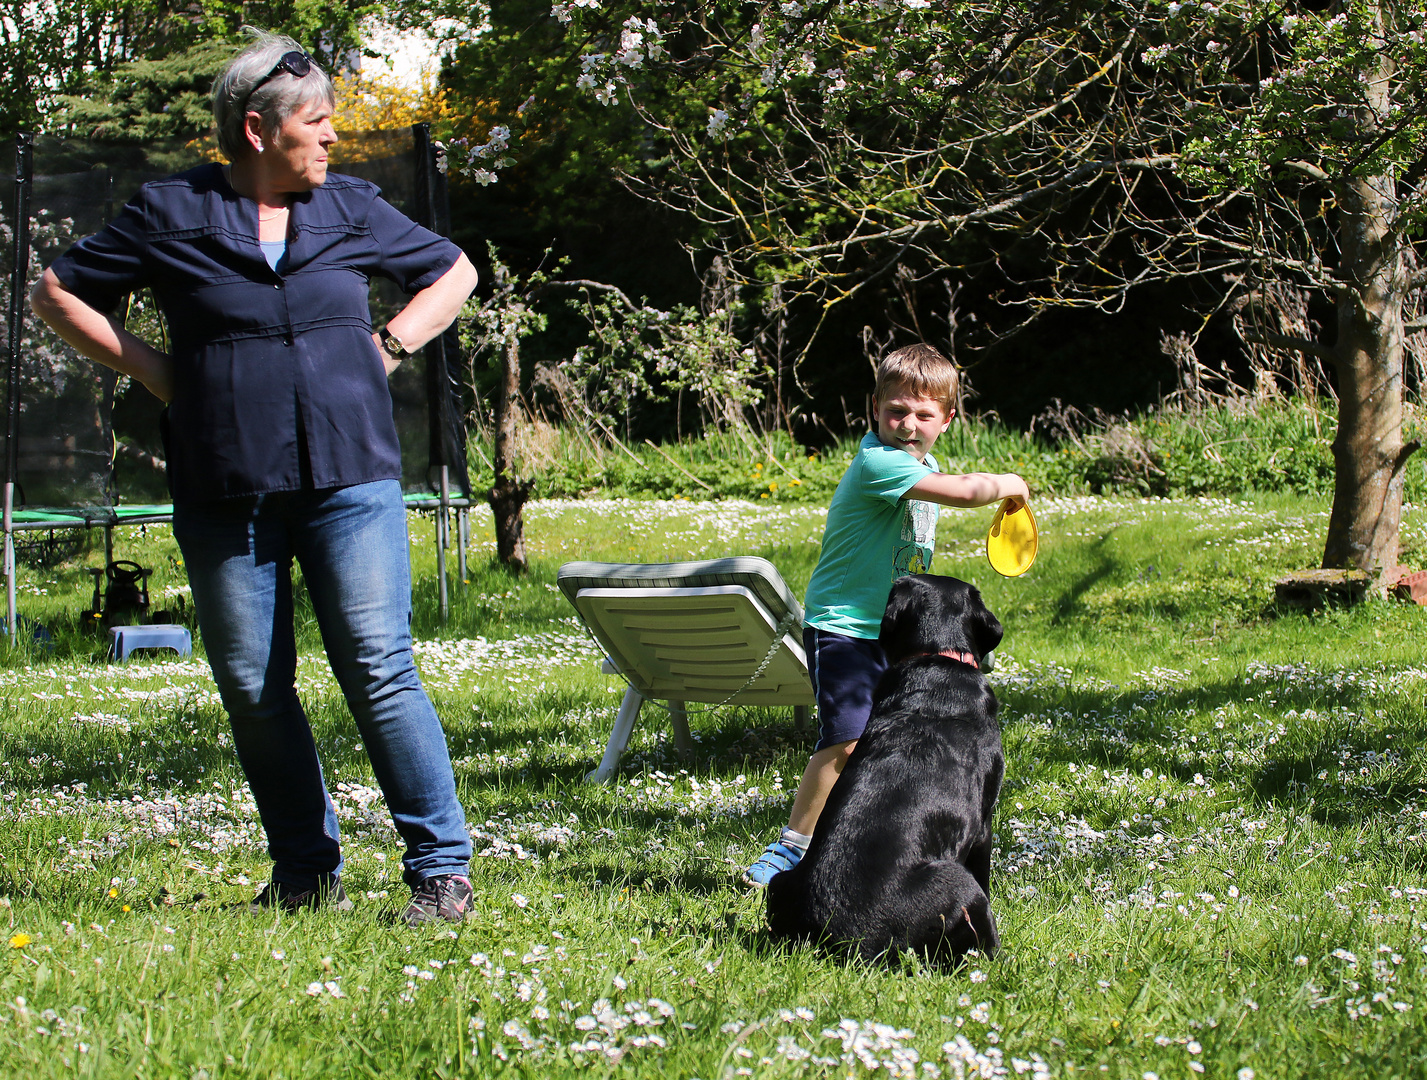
238,91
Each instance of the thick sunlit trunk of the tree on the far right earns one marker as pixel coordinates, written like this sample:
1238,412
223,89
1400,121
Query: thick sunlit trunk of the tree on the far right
1369,453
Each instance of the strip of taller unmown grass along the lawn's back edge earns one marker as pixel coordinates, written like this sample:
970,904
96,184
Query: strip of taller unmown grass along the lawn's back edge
1231,450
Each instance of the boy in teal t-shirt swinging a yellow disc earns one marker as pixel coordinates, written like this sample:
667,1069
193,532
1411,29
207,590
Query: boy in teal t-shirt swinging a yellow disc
881,527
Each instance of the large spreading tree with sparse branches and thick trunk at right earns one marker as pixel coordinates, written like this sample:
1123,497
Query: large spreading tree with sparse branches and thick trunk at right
1072,151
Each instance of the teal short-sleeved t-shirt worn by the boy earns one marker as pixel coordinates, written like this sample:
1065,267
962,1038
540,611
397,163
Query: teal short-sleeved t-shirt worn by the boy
874,537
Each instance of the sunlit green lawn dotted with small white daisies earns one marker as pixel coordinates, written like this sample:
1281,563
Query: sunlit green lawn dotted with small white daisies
1211,861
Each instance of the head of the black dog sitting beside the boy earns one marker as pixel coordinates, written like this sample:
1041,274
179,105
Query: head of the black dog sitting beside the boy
933,614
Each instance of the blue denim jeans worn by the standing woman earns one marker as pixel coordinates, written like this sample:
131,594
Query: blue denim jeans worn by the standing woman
352,544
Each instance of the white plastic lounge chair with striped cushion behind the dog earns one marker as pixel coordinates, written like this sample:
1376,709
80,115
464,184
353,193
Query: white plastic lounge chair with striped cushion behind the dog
718,631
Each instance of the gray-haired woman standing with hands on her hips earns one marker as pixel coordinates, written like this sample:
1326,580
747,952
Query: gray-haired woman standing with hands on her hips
282,446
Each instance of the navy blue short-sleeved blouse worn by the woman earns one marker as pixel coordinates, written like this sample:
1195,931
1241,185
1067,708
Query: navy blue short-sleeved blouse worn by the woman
278,383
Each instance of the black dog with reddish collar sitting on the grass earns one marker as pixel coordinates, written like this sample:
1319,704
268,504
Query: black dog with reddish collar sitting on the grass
901,855
